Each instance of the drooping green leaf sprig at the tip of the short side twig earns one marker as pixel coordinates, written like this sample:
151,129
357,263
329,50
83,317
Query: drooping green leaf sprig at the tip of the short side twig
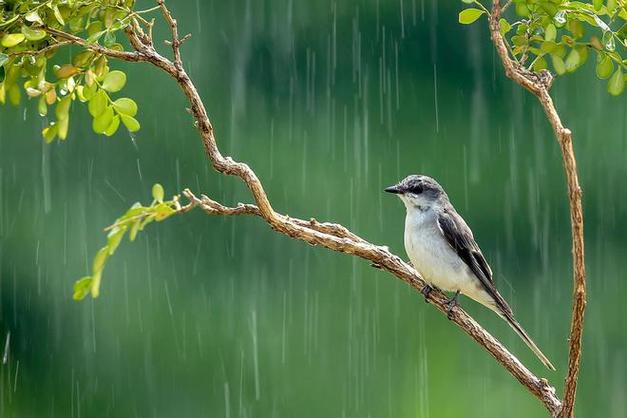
133,221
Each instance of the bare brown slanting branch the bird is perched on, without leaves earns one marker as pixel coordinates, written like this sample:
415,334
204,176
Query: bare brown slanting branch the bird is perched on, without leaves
329,235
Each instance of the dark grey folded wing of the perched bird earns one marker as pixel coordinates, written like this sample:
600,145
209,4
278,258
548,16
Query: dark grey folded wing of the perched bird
460,238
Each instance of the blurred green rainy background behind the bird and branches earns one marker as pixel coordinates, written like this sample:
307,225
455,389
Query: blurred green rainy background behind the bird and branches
329,102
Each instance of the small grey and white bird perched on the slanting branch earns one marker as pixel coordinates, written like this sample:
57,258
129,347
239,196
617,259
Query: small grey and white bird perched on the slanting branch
442,249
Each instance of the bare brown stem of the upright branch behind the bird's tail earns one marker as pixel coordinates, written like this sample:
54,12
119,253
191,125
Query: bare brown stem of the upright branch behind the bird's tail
539,84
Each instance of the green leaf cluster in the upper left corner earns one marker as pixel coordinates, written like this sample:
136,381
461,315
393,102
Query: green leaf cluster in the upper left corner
28,47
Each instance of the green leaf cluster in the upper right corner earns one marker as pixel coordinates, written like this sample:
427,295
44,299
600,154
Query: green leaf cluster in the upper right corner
561,34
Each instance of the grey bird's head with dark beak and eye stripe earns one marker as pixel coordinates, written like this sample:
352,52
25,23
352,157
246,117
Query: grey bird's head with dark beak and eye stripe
418,192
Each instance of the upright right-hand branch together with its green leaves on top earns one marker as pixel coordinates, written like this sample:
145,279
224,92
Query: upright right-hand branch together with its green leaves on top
542,16
